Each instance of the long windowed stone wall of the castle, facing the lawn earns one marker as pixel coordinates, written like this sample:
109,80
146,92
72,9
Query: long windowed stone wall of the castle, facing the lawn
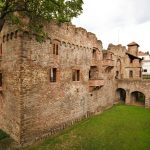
49,105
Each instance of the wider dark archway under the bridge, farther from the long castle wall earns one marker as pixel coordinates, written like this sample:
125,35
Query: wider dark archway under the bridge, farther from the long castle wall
137,98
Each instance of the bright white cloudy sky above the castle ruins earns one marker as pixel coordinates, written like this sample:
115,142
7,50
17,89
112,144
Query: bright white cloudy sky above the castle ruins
117,21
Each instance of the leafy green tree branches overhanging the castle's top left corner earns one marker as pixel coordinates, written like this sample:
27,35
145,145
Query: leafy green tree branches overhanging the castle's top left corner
32,14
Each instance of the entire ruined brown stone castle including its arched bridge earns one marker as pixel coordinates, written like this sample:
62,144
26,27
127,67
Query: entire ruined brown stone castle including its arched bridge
48,86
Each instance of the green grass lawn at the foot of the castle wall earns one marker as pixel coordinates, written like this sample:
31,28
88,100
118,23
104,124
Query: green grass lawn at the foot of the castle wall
119,128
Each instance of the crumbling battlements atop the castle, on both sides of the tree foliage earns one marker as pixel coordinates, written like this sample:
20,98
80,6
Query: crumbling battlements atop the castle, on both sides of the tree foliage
65,32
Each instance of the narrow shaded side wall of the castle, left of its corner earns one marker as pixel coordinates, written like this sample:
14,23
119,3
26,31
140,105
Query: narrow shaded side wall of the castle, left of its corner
11,83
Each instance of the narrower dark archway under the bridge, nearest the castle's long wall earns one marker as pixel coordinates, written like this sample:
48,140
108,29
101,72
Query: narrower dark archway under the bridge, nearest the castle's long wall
121,95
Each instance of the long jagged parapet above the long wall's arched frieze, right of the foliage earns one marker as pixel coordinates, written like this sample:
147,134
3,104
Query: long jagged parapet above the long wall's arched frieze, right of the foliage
72,34
